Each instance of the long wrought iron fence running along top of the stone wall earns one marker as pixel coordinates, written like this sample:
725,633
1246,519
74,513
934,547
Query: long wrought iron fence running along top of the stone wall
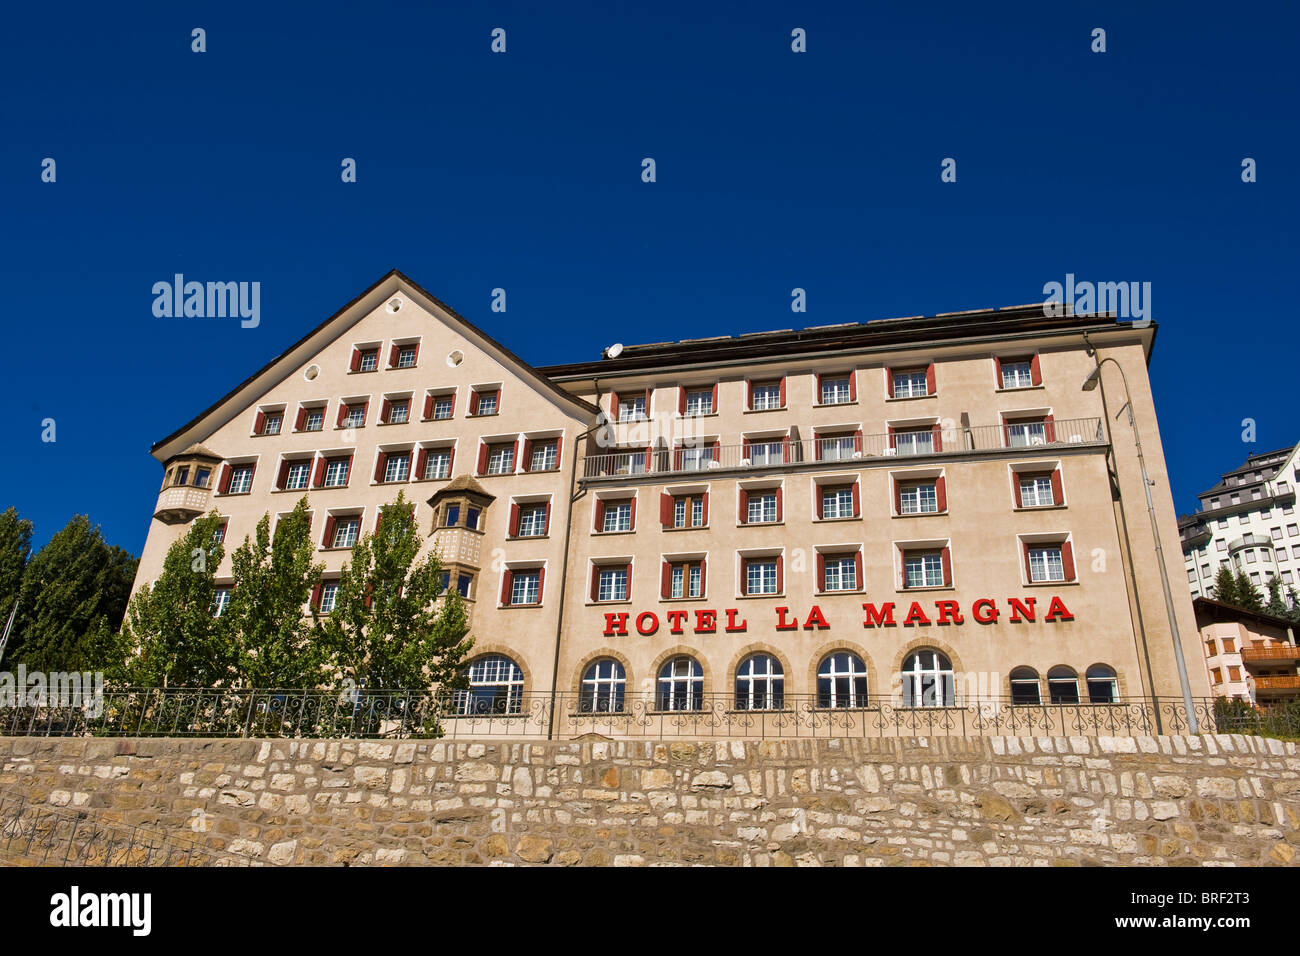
506,713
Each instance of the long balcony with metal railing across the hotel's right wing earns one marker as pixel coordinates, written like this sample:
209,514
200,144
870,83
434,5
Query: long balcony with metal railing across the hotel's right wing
783,455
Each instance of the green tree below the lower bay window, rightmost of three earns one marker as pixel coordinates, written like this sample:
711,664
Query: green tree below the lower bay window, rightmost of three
387,630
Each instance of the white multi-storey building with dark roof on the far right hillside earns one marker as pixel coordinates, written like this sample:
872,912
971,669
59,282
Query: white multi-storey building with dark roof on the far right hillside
1247,521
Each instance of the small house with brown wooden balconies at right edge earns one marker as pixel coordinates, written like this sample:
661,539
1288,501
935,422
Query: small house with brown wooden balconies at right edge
1249,656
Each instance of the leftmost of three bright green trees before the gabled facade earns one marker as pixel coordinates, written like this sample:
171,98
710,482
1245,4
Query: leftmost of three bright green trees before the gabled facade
171,634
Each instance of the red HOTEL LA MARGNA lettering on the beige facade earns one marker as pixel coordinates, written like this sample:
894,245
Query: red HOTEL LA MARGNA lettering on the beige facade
707,621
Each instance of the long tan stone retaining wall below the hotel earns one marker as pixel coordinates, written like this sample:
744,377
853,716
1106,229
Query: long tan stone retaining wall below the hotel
1004,802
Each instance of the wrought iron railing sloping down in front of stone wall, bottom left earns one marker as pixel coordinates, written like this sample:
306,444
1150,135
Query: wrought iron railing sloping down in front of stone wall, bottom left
57,837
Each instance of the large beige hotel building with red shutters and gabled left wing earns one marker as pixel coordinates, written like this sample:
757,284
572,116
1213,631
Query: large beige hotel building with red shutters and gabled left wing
915,512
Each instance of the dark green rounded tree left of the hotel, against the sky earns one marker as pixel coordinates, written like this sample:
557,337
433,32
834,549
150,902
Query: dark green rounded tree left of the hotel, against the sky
75,592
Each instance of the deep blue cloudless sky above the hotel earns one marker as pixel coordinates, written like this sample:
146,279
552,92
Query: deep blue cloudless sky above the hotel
522,171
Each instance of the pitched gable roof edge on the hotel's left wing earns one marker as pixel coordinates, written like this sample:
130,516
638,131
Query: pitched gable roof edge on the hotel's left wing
317,339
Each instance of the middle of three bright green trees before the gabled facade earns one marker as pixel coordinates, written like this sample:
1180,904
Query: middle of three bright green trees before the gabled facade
266,624
